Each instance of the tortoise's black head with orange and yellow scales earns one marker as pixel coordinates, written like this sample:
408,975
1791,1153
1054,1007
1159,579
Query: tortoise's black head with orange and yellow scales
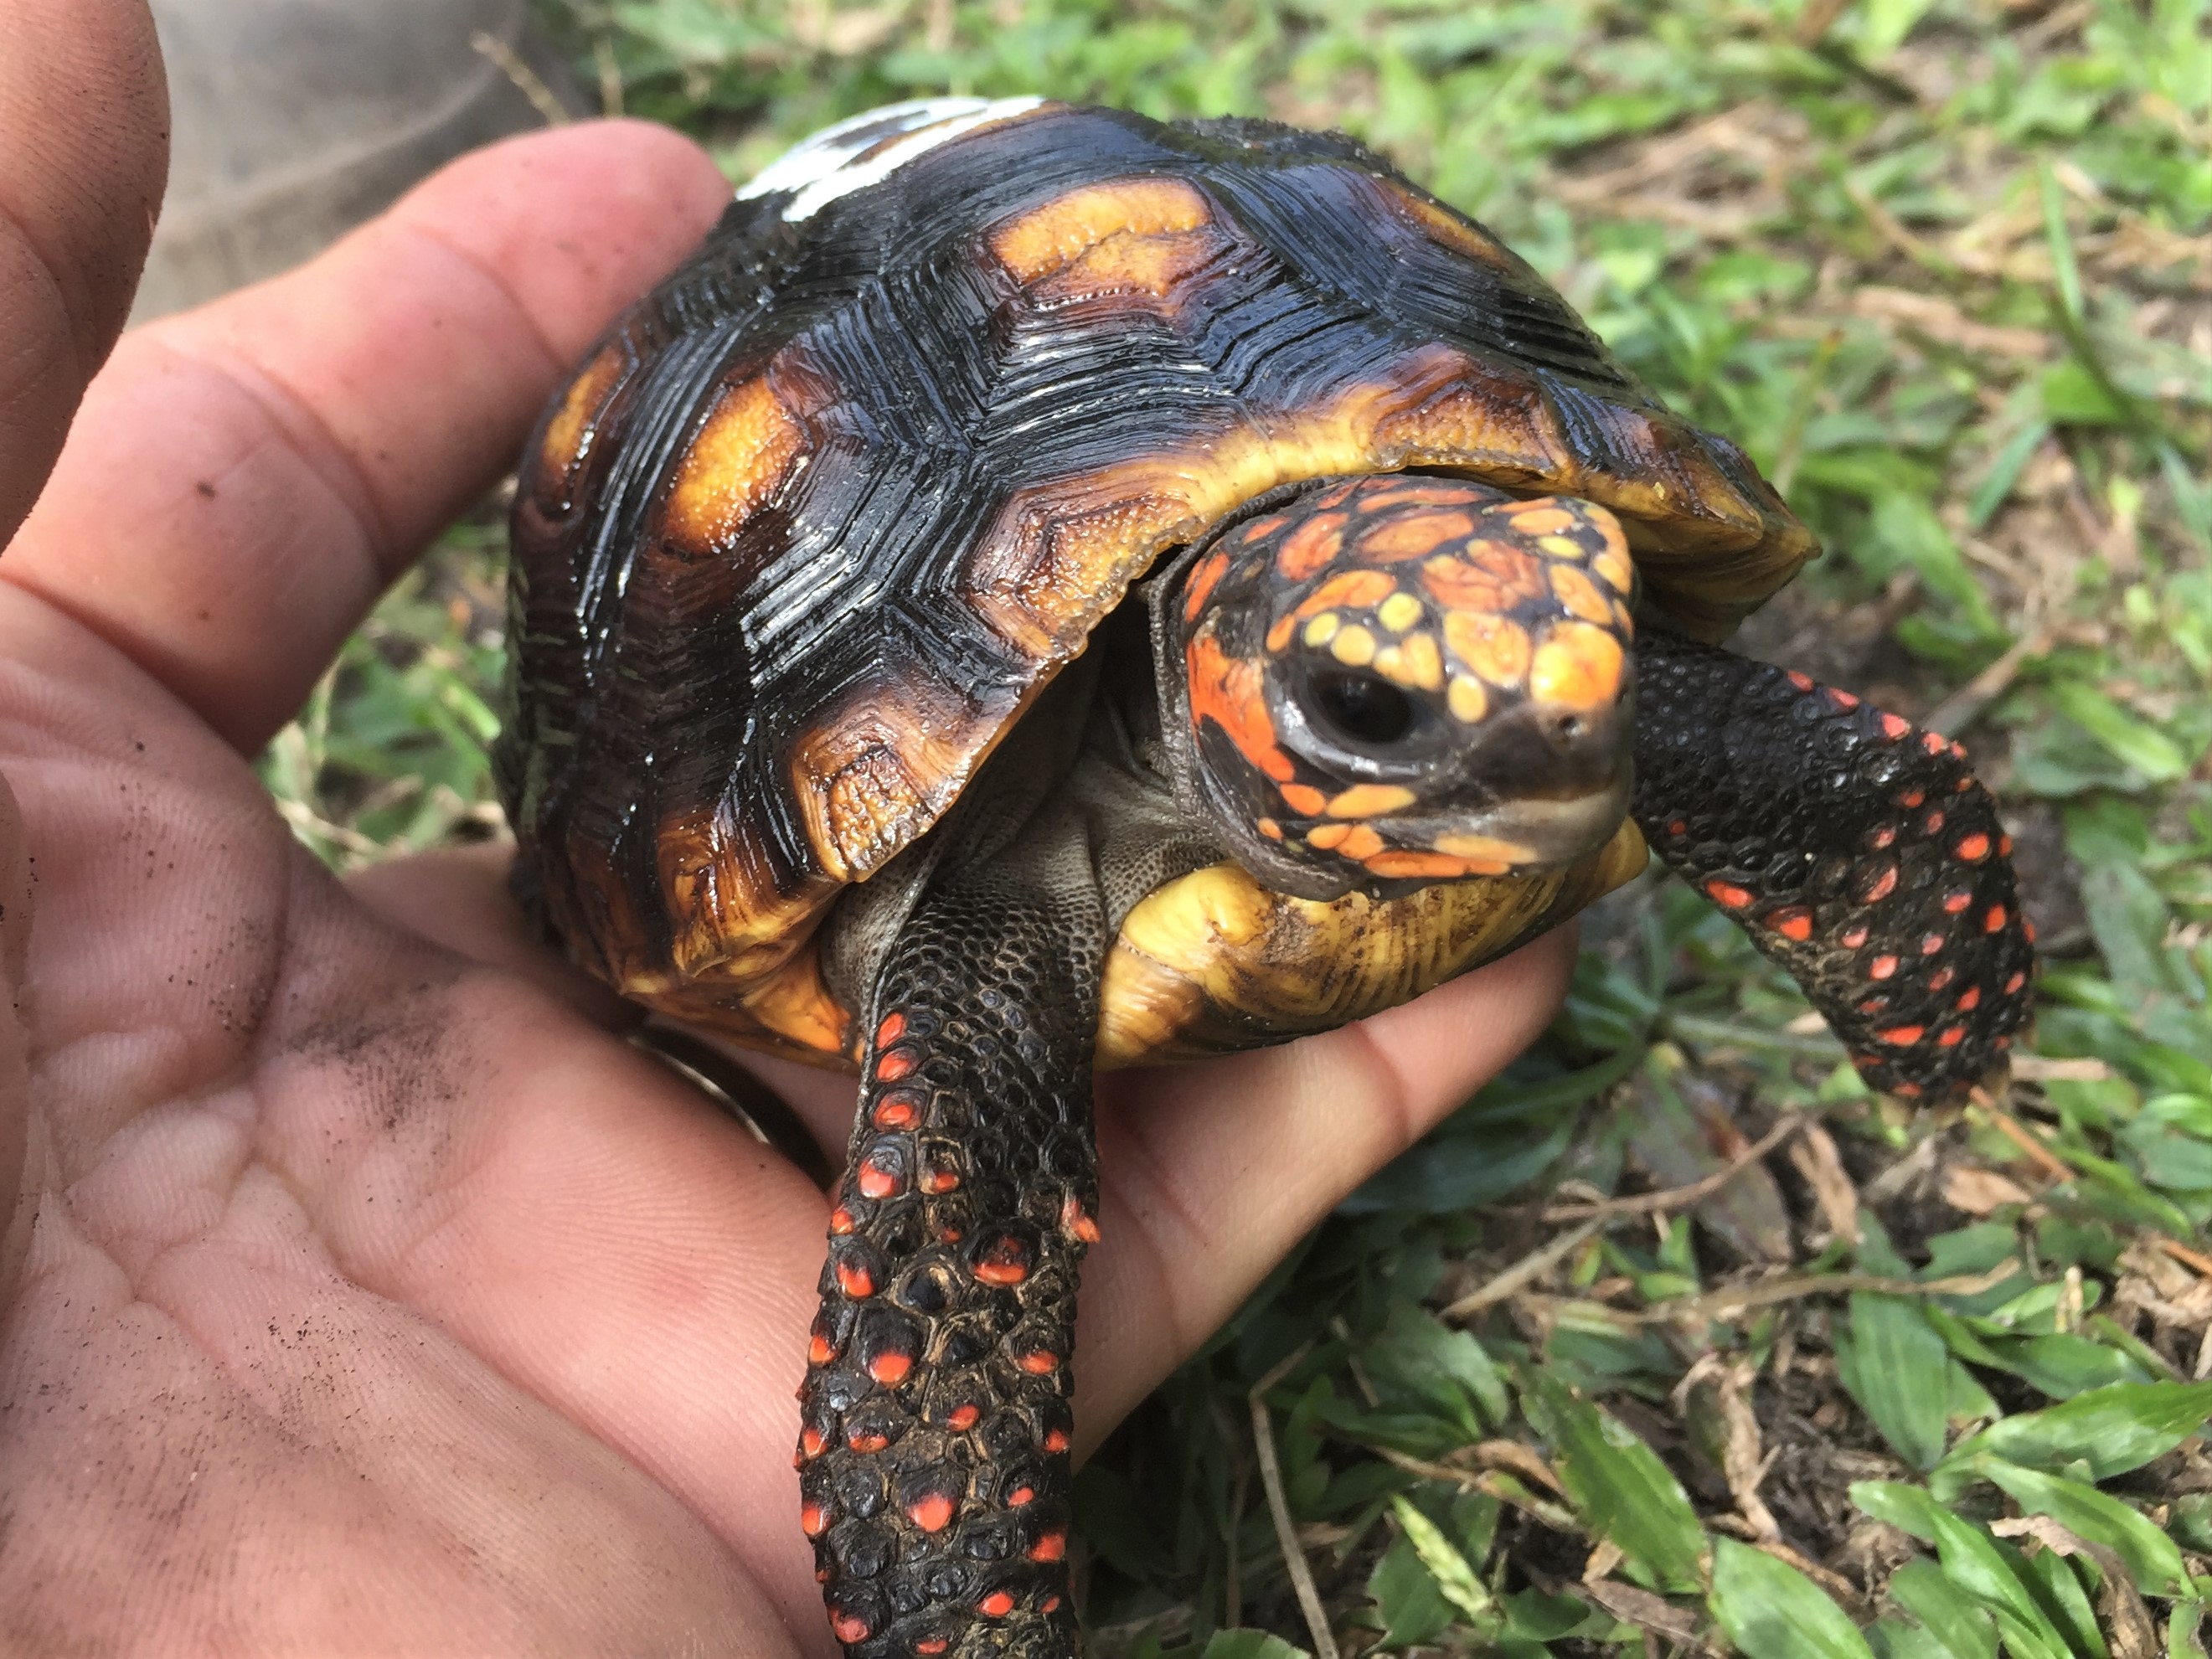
1401,680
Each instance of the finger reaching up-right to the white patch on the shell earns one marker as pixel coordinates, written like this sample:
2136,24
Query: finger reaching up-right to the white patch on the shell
244,479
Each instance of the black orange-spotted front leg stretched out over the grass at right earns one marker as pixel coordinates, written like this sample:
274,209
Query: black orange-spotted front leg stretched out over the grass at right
1855,848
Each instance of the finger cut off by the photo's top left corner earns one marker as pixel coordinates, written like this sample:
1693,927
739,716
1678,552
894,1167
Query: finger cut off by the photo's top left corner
83,158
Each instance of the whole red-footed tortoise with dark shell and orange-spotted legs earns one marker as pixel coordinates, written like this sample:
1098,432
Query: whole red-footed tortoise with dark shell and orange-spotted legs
1050,589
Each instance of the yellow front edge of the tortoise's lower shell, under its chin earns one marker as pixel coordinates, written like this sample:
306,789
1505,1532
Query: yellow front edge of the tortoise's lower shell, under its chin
1215,963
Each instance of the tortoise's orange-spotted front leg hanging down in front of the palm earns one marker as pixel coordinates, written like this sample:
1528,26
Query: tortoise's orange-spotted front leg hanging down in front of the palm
935,1448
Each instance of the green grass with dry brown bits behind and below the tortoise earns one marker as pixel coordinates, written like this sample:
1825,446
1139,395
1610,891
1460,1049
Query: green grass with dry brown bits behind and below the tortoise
1917,1386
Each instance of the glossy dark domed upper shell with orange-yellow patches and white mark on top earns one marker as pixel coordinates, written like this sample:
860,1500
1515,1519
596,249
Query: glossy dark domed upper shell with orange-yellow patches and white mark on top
831,508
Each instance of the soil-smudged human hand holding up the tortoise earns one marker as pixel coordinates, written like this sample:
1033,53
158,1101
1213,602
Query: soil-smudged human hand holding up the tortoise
364,1291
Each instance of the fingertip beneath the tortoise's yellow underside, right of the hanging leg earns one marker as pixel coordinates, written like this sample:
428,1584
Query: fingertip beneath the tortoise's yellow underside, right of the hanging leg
1213,1173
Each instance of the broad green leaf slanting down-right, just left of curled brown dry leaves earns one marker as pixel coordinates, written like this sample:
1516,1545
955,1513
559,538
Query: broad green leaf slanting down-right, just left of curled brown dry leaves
1618,1483
